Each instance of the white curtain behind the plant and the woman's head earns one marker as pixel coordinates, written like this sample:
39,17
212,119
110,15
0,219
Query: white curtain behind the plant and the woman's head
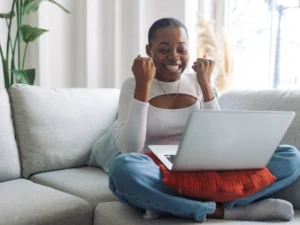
95,45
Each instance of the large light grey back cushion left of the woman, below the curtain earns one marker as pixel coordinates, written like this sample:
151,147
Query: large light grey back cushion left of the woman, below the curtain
56,128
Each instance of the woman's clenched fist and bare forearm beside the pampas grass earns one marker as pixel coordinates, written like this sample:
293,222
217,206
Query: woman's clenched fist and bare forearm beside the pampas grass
204,68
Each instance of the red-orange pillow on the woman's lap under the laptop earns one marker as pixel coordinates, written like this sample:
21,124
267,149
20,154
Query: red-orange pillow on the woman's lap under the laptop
215,186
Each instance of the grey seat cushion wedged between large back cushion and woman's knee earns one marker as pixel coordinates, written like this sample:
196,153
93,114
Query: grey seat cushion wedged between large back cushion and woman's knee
89,183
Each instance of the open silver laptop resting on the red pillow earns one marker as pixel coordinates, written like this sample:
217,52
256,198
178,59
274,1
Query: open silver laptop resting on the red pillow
226,140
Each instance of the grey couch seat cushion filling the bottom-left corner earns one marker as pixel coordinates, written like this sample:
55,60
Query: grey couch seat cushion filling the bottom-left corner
24,202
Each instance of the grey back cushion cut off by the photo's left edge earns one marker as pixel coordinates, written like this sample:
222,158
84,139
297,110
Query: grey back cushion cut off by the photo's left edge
9,158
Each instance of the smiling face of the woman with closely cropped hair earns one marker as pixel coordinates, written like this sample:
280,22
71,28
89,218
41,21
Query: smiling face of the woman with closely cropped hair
169,50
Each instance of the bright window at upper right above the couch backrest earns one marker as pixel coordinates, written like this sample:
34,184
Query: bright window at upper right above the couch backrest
266,37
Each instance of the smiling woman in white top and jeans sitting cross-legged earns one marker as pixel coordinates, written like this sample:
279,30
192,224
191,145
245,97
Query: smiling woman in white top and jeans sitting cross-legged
154,108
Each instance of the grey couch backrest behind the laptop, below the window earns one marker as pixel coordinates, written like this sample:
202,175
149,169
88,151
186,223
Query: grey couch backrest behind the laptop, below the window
269,100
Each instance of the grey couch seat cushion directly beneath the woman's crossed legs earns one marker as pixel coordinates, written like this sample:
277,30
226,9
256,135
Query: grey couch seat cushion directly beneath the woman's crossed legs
115,213
